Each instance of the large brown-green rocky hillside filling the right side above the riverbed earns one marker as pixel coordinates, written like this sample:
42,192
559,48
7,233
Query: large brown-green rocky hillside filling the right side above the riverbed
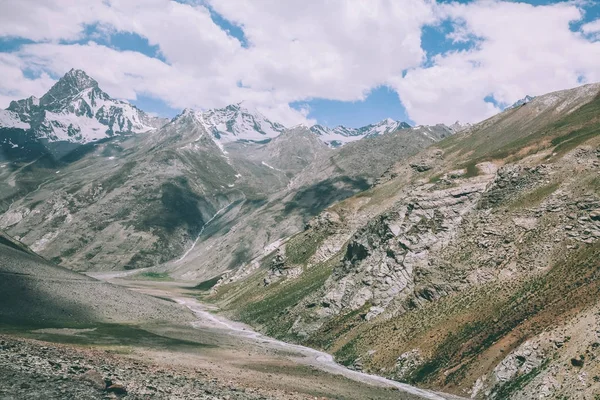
470,267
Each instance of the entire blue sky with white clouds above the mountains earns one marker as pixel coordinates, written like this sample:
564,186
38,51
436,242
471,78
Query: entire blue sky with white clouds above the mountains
333,62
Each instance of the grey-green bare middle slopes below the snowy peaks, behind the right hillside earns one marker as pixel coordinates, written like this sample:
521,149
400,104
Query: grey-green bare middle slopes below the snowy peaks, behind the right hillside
143,200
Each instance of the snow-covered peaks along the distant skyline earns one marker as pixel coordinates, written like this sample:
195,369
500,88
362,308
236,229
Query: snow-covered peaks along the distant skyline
75,110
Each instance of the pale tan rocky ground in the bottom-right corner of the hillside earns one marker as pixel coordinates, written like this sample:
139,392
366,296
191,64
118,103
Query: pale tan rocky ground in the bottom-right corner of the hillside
558,363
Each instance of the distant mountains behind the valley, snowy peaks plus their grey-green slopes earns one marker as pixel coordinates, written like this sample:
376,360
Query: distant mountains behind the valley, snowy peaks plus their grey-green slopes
153,187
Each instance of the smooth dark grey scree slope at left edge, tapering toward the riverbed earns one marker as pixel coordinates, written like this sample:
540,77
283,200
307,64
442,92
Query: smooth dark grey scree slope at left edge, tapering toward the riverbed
33,292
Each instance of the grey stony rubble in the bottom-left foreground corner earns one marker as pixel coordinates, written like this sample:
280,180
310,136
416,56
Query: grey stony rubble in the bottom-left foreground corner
36,370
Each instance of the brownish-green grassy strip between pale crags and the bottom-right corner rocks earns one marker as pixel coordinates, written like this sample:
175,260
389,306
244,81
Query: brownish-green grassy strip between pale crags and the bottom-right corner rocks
532,306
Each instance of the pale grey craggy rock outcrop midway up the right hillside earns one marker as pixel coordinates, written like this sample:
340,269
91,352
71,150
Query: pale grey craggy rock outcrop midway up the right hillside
384,260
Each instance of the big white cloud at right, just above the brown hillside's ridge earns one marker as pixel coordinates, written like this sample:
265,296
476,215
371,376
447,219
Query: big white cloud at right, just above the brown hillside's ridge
523,50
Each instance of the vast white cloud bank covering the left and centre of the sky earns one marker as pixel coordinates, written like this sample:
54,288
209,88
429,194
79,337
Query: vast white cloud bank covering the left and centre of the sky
334,49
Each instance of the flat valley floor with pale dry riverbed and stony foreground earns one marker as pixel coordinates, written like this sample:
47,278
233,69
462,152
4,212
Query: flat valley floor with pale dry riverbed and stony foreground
214,358
